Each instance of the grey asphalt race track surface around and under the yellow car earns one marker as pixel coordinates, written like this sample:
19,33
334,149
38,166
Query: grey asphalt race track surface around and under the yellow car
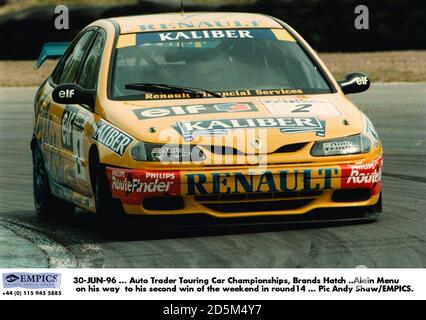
397,240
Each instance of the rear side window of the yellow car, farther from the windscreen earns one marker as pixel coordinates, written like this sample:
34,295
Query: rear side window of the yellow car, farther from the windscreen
72,62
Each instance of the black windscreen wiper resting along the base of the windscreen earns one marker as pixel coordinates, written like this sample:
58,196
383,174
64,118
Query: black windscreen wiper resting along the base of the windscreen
165,88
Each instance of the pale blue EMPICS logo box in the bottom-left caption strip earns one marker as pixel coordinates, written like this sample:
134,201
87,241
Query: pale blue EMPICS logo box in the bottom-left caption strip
31,280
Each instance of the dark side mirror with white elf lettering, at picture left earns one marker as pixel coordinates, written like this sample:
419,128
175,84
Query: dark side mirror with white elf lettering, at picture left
70,93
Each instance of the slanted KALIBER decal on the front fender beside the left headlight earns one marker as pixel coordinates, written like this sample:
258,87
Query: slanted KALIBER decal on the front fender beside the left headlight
111,137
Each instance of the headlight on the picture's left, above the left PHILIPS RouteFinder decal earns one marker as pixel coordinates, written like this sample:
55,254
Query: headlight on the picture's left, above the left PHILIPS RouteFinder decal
166,152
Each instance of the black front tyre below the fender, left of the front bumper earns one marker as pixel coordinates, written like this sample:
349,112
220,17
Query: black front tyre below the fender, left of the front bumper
109,211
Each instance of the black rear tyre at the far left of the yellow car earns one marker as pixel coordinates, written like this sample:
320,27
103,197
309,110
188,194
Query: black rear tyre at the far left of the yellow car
48,207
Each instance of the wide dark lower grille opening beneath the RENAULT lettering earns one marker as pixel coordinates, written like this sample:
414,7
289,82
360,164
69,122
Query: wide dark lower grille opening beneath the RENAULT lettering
280,205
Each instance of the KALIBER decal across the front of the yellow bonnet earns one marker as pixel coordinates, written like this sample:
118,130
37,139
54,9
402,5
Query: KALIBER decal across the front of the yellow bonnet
191,129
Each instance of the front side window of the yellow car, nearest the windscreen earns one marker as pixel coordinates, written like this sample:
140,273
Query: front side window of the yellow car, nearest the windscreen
90,71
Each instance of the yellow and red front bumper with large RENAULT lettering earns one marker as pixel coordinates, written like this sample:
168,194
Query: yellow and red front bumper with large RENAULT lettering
230,192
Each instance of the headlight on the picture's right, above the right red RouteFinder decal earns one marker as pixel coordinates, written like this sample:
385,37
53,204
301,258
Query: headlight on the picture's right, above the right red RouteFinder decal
360,143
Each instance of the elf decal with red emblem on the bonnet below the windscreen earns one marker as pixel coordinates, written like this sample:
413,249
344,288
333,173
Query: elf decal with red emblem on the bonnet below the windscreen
160,112
